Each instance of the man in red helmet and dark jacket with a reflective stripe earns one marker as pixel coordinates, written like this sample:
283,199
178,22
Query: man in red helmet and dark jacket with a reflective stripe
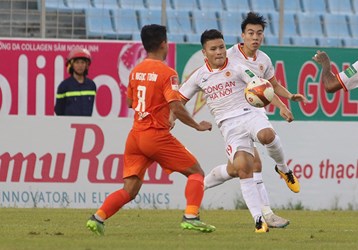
76,94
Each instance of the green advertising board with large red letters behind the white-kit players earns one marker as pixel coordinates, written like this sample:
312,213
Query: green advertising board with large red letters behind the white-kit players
295,70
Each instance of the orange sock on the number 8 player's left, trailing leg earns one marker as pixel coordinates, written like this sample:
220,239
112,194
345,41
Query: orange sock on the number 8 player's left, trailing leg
113,203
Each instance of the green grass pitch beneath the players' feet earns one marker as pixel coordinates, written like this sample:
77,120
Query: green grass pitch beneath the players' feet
52,229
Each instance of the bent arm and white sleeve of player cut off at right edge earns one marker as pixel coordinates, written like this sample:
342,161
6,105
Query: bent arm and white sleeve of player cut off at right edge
346,79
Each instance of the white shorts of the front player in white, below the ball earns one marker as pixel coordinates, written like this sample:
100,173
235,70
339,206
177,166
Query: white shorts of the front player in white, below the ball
240,132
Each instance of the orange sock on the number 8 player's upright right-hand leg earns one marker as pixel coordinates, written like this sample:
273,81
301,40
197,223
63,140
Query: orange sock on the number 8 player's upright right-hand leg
194,192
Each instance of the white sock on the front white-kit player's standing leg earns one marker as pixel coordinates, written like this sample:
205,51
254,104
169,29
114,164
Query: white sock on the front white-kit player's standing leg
251,197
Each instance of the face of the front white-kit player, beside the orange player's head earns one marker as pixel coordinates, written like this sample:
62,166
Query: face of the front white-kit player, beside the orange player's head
215,52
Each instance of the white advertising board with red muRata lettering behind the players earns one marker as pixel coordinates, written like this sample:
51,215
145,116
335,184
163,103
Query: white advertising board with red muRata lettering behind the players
76,162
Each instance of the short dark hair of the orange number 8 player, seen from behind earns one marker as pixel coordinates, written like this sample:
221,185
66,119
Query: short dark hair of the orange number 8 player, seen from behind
152,36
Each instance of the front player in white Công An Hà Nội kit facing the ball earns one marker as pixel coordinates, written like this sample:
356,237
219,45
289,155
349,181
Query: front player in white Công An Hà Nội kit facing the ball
223,83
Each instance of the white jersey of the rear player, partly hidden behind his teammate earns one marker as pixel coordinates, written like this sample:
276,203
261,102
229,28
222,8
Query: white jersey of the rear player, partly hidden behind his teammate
260,64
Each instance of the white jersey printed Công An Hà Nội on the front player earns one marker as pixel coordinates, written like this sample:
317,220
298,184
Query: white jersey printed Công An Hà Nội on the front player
223,89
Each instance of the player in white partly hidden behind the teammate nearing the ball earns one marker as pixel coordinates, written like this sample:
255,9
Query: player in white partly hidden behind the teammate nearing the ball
248,53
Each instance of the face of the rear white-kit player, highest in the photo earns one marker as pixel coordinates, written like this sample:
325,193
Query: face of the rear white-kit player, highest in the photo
253,36
